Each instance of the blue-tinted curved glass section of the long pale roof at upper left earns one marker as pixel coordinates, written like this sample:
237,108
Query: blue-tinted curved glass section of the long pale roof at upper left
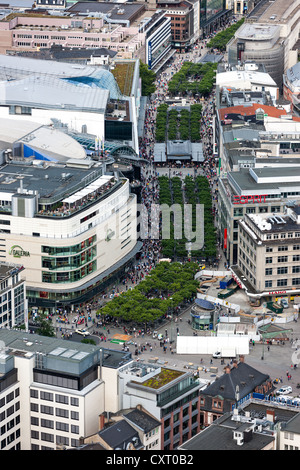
100,78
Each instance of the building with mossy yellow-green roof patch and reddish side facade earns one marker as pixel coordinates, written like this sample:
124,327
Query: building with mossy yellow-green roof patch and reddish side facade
171,396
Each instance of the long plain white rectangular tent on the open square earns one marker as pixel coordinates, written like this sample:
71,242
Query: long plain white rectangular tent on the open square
228,346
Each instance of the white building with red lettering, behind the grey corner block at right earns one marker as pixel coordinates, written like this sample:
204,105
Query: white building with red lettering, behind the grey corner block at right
252,191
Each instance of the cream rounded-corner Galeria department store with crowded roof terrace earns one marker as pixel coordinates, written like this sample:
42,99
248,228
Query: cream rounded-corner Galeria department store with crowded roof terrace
72,229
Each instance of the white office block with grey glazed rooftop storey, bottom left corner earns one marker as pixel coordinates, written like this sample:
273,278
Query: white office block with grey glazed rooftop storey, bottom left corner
51,394
